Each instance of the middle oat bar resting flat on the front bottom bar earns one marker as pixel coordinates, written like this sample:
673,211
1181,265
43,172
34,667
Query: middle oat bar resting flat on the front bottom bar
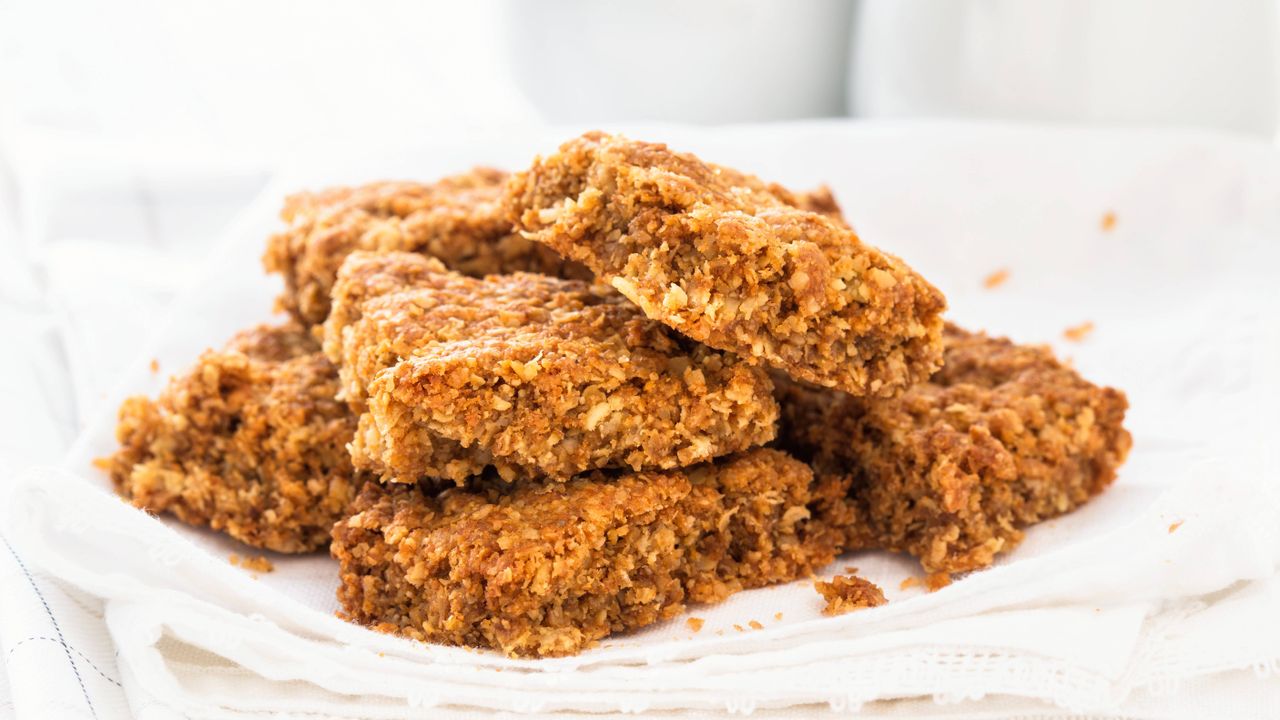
536,376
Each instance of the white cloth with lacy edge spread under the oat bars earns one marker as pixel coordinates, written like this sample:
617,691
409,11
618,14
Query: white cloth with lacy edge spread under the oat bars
1163,589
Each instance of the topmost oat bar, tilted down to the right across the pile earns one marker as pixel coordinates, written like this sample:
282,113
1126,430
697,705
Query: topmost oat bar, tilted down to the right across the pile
721,258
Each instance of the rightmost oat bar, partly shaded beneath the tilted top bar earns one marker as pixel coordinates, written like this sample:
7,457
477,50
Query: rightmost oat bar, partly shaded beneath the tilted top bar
952,472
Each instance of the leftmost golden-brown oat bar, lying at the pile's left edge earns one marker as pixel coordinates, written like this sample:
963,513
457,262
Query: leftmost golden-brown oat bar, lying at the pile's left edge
250,443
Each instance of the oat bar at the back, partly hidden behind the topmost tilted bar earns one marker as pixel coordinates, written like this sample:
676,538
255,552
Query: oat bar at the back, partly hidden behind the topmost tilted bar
458,221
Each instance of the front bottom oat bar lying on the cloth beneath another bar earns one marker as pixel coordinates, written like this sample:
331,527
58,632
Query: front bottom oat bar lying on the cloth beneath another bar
547,569
